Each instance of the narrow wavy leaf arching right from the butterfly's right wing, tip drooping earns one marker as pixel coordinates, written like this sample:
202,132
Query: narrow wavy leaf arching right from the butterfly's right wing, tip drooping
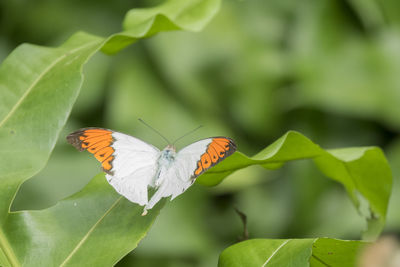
364,172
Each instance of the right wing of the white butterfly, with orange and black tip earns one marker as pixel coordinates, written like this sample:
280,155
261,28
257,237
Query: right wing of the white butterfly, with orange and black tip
190,162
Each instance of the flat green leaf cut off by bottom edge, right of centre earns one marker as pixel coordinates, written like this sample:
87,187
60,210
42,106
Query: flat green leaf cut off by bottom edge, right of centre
292,252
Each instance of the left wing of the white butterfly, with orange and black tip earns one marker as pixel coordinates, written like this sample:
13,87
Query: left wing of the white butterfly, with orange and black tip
129,163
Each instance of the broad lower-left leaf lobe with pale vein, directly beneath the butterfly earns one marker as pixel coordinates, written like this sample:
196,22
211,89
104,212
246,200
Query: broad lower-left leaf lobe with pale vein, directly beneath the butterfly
96,226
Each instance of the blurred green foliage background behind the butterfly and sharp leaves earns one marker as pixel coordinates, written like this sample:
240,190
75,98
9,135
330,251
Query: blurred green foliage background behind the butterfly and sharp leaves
329,69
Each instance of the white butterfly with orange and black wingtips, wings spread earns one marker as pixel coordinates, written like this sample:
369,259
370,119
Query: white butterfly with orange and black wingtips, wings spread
132,165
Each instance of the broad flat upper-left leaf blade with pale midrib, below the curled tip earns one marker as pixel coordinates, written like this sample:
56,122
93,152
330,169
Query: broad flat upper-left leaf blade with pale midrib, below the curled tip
38,87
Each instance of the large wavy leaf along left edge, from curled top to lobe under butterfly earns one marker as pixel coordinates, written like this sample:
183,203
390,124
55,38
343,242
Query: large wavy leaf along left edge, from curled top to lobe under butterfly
38,87
